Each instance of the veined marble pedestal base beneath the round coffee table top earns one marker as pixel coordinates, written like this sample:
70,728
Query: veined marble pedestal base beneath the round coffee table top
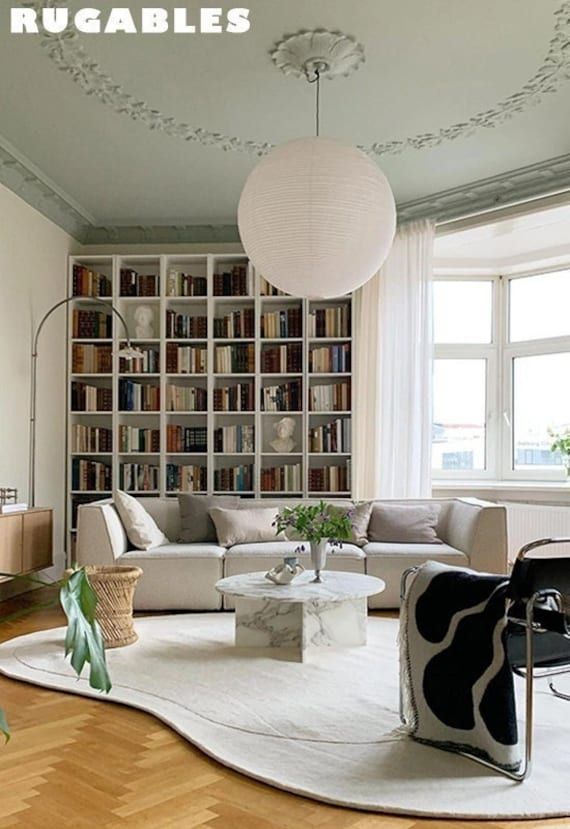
296,628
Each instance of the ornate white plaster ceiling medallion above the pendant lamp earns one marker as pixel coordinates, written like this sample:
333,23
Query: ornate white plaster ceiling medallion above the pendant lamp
334,53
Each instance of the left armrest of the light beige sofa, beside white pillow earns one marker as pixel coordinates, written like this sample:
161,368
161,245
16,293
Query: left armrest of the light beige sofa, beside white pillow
101,537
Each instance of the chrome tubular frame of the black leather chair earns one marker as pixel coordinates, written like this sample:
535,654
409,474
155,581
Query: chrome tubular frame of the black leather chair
529,673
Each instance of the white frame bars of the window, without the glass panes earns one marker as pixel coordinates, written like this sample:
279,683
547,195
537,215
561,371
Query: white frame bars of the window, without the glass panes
500,355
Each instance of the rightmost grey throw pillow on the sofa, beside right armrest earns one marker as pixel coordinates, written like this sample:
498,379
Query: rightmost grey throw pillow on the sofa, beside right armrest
404,523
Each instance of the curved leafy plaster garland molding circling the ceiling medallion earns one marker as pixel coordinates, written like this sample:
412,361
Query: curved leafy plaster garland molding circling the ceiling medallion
71,57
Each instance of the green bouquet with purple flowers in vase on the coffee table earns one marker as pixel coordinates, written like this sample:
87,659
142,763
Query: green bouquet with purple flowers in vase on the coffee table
320,524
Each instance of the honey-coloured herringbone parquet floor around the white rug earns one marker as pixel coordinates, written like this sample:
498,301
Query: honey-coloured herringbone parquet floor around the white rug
78,763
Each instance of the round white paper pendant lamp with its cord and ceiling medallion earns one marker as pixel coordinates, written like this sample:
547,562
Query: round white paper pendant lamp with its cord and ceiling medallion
317,217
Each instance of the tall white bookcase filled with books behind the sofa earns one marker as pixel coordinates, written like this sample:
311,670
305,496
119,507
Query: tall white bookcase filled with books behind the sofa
217,412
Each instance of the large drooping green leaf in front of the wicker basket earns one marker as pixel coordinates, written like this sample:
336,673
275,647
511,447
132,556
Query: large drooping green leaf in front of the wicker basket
84,640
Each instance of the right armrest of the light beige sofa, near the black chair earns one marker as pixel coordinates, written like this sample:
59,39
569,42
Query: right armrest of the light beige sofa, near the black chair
479,529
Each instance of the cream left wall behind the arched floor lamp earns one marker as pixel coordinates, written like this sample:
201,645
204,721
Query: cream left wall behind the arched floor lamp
33,253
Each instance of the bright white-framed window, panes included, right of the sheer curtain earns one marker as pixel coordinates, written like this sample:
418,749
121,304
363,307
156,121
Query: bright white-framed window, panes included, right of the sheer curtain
501,369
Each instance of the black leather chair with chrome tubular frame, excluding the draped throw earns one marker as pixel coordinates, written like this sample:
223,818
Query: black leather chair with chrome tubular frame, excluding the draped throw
538,630
